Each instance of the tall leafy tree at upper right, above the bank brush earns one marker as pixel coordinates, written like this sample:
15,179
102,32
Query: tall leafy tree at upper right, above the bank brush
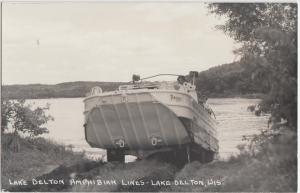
268,33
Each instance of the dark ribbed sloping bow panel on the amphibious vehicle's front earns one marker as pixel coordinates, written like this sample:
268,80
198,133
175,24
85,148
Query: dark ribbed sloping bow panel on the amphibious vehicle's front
144,125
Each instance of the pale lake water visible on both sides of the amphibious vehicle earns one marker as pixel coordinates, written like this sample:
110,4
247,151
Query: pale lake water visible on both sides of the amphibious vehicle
232,116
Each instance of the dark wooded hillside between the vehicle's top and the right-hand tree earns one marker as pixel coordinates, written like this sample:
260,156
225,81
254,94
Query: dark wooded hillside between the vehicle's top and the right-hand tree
229,80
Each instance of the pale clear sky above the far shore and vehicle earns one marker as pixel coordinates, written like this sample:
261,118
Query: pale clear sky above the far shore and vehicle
50,43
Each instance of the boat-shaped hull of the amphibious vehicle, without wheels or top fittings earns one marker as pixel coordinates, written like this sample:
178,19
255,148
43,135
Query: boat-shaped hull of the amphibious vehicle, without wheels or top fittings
147,120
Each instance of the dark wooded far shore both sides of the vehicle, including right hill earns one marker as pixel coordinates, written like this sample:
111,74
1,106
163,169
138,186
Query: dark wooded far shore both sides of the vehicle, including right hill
227,80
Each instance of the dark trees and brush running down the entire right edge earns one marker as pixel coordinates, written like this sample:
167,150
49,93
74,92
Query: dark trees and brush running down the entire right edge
268,33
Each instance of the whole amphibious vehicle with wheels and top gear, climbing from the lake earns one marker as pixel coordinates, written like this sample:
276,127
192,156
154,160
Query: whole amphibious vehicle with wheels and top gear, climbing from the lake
146,118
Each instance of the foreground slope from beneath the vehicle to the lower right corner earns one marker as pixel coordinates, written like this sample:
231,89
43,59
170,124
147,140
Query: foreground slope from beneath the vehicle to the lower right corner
271,167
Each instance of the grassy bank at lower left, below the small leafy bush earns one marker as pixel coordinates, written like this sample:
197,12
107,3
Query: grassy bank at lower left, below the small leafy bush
25,158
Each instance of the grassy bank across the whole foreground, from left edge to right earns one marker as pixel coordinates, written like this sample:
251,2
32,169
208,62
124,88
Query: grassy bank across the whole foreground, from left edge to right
271,169
